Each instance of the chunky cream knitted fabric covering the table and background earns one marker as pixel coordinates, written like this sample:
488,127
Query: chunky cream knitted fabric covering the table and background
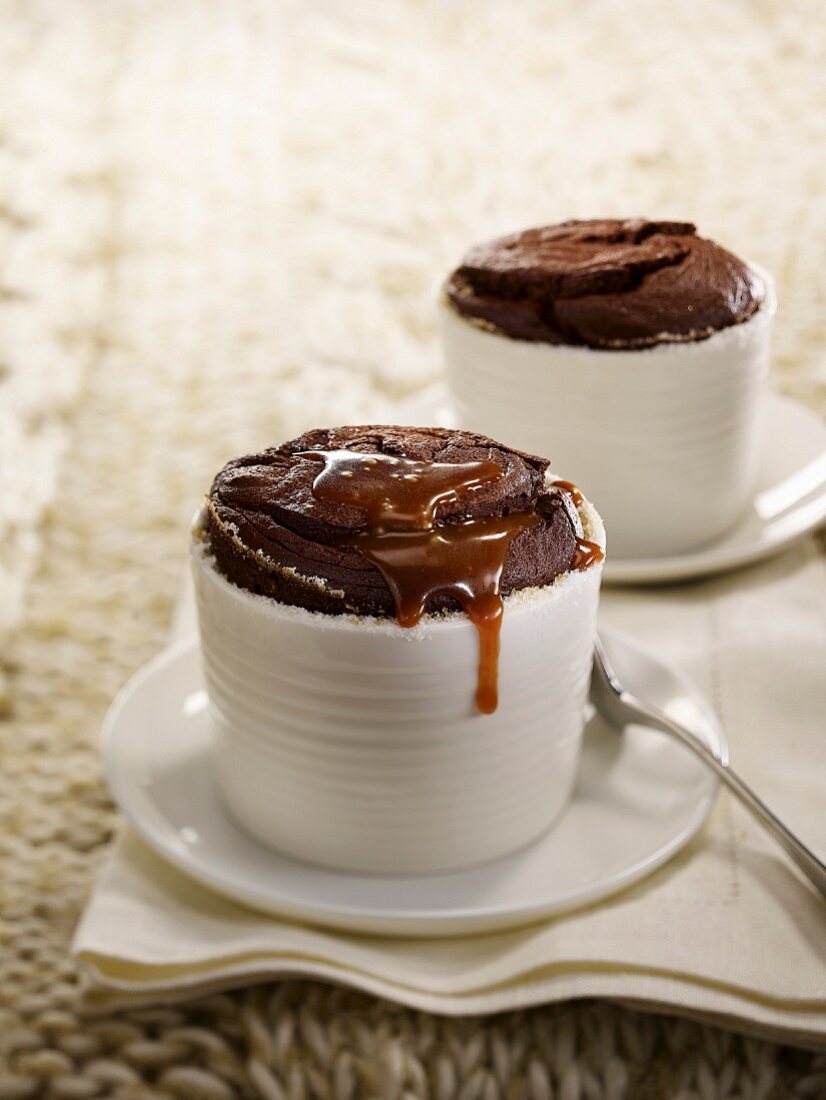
222,222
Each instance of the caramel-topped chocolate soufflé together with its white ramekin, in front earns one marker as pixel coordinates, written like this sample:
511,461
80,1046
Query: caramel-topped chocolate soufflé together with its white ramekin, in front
348,727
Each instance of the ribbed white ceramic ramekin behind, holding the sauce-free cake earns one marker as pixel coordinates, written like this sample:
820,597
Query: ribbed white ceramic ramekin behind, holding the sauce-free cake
666,438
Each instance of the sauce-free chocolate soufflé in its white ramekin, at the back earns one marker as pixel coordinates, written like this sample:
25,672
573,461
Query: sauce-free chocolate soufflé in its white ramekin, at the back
636,353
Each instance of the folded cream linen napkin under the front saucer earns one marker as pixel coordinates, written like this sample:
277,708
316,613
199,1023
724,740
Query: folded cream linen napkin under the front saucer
728,932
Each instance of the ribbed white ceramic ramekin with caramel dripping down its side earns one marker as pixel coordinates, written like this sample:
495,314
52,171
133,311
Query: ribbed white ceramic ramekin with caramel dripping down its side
356,744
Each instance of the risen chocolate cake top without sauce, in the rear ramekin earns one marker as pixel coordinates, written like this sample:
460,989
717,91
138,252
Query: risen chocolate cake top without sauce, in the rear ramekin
605,284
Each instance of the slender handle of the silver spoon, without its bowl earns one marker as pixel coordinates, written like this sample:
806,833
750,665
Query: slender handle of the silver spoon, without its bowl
811,866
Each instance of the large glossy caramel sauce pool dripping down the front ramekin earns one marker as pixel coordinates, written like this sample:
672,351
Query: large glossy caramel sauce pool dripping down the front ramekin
418,559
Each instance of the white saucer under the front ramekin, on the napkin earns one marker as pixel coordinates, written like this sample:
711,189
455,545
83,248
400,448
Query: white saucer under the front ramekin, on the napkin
641,797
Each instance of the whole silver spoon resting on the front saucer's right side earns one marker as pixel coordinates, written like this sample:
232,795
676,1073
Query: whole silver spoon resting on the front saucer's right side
622,709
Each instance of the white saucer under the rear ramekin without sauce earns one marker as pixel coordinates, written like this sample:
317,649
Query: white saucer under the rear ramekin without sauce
790,500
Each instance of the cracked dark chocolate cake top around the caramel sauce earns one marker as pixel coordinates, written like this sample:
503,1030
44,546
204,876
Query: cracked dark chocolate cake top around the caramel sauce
272,536
